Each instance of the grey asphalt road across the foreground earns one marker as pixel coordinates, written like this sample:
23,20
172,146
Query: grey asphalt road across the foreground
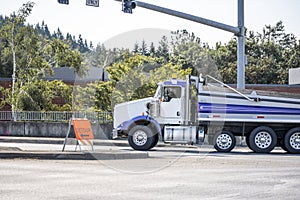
168,173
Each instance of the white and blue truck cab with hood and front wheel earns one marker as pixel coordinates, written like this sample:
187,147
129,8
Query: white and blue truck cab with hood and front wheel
170,115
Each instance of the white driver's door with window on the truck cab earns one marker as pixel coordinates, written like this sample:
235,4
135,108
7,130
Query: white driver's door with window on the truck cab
171,102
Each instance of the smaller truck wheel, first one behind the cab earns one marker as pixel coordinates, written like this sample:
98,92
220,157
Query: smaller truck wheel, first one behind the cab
224,141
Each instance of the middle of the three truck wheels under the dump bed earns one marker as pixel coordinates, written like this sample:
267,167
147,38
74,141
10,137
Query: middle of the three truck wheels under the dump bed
262,139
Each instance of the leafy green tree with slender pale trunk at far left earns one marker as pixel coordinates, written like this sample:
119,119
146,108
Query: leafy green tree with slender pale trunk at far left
32,58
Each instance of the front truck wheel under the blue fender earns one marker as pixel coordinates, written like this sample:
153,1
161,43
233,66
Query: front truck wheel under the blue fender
141,138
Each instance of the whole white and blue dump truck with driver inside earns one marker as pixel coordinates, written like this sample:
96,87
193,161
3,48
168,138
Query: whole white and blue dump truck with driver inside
187,111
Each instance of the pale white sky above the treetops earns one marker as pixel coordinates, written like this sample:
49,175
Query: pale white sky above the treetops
99,24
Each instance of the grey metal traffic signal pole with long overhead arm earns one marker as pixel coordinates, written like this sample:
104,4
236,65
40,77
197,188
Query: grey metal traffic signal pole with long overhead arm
238,31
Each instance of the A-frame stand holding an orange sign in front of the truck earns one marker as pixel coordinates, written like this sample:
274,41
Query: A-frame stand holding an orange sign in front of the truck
83,133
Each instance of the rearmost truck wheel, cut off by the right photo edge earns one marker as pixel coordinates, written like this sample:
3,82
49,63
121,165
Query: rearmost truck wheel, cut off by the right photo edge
292,140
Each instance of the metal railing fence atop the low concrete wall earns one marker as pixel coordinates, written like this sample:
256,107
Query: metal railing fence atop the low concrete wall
55,116
